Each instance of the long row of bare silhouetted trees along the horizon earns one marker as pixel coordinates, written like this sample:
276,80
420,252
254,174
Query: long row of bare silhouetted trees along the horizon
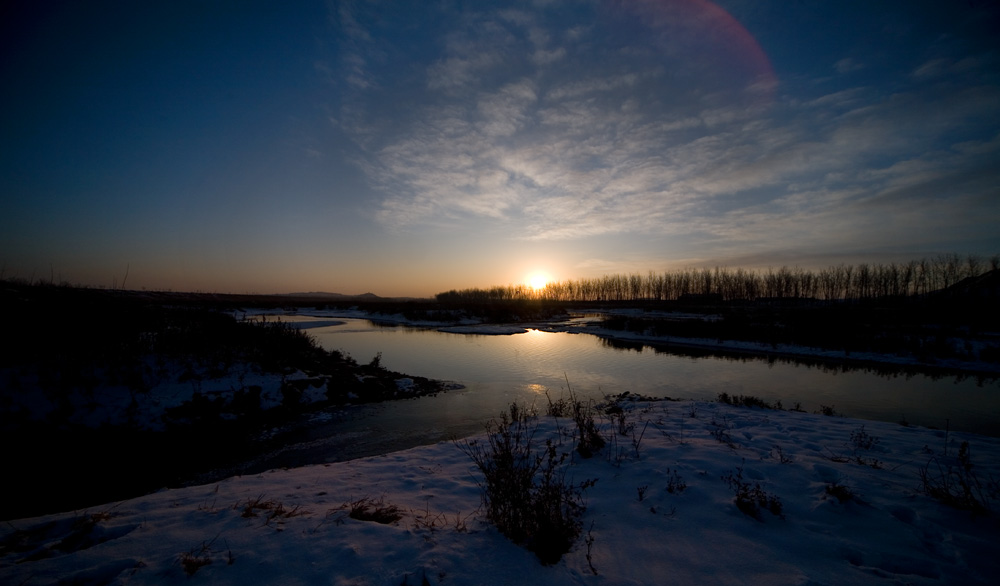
842,282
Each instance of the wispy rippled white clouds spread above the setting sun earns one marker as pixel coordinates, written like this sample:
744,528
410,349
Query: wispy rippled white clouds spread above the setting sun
566,128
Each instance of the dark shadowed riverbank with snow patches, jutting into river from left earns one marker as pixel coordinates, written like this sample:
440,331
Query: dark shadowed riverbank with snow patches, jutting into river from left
121,395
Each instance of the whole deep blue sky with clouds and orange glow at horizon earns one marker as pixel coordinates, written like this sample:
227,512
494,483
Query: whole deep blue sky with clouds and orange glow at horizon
408,148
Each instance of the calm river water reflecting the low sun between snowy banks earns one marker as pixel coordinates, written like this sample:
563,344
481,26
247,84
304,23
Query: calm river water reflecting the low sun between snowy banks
535,366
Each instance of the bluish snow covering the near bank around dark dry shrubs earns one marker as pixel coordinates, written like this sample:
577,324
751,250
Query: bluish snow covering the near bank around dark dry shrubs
291,526
